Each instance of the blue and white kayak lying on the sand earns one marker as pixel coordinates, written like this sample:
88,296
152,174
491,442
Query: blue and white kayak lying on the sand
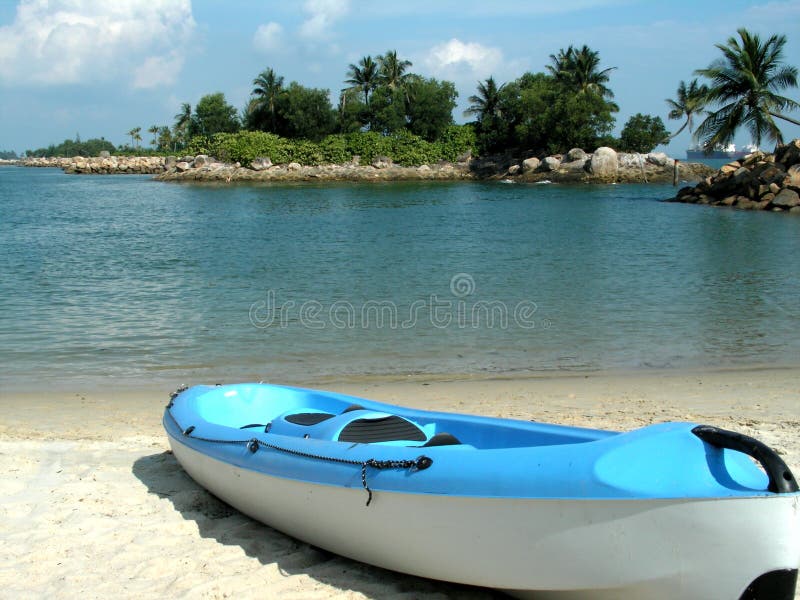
674,510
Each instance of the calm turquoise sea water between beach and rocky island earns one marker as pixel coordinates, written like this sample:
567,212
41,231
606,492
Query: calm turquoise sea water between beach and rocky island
123,280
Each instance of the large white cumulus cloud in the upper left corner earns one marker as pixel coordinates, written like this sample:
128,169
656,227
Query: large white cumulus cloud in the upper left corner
54,42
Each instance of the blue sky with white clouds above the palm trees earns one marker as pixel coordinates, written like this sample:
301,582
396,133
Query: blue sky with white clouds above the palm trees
100,67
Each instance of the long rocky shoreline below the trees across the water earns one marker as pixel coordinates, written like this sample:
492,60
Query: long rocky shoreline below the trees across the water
624,168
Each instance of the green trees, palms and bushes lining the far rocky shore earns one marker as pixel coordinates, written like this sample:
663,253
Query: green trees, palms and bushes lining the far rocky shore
387,110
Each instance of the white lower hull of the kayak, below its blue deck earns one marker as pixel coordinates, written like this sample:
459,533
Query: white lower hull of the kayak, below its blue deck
625,547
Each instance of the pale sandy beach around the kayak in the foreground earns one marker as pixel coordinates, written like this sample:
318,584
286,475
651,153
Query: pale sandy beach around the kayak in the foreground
93,505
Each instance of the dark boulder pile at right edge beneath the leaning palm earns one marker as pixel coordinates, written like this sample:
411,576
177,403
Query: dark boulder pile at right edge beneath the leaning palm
758,182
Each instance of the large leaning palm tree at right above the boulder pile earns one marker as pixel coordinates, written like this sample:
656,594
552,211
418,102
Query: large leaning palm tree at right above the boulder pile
745,83
